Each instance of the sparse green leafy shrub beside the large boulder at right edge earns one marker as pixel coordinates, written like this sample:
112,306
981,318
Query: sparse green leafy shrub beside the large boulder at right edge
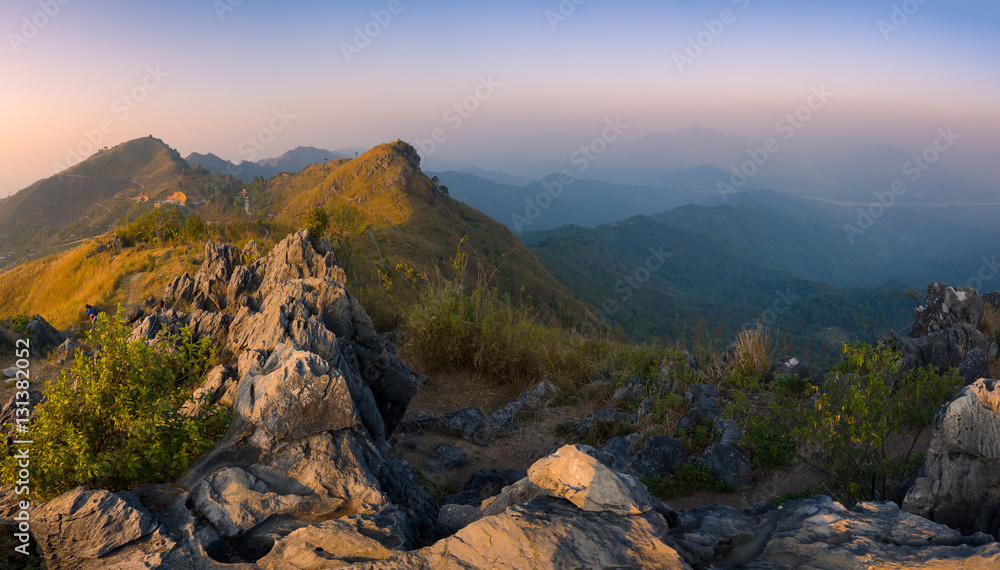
868,408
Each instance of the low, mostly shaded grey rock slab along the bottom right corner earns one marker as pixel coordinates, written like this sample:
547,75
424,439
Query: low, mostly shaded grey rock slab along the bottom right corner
820,533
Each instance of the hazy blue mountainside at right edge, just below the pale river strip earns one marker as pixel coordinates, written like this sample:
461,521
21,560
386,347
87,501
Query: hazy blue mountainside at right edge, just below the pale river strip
807,238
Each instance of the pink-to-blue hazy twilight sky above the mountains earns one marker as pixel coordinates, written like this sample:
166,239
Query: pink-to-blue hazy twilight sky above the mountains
247,79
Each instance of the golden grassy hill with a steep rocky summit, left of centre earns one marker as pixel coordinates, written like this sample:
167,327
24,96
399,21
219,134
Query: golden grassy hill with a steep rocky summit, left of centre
394,229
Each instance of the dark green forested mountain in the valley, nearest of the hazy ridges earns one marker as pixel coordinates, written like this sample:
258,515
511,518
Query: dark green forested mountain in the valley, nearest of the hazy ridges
658,280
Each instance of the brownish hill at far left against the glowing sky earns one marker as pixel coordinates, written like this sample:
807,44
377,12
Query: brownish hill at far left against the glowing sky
98,194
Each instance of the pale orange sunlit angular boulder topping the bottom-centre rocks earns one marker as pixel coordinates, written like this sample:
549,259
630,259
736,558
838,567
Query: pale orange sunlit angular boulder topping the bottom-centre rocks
574,475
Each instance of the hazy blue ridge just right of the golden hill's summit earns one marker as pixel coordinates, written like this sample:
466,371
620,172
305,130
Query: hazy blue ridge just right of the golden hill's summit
580,201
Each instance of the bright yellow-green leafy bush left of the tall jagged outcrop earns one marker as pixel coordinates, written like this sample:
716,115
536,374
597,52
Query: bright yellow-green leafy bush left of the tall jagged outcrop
115,419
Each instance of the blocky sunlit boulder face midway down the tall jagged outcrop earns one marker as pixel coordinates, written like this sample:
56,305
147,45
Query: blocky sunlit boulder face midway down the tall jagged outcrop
296,395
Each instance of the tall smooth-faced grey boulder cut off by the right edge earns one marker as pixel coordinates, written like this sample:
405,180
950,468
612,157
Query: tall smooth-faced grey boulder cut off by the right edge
959,483
